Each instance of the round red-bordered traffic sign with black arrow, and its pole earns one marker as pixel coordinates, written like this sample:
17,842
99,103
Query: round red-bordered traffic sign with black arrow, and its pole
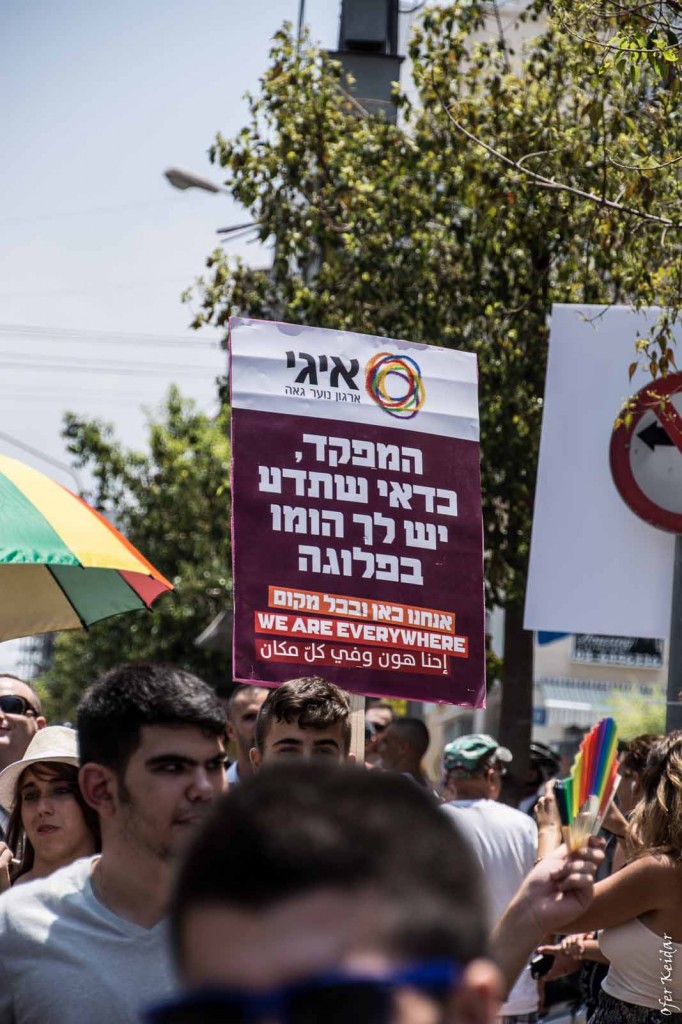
647,465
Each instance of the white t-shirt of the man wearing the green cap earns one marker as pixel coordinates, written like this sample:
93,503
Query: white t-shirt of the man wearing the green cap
506,843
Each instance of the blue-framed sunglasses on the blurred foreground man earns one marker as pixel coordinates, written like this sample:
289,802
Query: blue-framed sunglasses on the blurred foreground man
332,999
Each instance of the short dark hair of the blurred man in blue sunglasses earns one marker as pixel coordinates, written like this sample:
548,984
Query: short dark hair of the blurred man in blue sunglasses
290,831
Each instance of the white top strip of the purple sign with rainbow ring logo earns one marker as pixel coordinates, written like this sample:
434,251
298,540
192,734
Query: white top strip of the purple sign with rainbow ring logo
312,372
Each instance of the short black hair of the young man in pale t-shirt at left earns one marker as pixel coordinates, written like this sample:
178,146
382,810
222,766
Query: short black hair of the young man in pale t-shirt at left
114,711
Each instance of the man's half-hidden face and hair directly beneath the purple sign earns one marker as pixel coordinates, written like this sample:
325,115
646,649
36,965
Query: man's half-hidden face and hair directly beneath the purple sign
304,718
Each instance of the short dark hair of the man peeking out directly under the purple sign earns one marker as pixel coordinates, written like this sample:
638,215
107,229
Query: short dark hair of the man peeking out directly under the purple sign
311,702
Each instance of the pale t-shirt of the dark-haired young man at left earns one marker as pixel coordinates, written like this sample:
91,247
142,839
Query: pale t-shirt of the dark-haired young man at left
66,959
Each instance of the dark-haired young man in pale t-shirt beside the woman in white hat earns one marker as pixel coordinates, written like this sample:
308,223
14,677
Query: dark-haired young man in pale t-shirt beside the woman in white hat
89,944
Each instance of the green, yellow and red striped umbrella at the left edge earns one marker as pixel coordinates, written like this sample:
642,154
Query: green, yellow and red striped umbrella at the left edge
63,567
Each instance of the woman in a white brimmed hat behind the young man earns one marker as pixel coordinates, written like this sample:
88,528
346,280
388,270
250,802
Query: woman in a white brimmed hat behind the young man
51,825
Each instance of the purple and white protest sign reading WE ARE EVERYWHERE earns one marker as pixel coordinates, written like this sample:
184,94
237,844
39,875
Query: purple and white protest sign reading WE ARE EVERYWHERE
357,523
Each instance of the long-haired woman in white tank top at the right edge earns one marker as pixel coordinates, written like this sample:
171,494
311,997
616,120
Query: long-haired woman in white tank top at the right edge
638,910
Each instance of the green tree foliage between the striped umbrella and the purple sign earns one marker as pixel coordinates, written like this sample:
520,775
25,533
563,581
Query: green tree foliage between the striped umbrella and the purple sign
173,502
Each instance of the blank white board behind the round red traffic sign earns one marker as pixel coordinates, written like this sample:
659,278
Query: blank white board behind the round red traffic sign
595,567
